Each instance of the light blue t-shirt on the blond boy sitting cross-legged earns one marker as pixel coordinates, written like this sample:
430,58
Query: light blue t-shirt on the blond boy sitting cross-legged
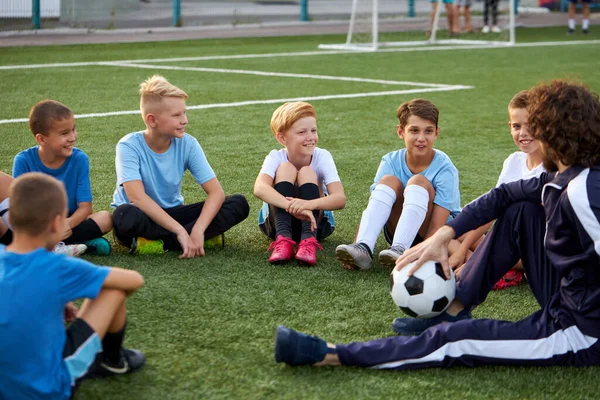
162,173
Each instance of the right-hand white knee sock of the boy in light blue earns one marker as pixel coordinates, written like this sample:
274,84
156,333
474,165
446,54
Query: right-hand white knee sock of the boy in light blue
414,211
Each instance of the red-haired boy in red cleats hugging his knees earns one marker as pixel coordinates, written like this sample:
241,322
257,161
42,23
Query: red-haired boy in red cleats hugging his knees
299,186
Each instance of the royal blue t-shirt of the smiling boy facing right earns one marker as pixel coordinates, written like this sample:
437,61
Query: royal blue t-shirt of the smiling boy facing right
74,174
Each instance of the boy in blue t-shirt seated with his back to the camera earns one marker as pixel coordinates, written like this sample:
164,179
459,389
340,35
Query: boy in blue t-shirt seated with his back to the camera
38,357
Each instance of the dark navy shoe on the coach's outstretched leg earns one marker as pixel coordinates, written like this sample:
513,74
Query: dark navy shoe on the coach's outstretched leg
296,348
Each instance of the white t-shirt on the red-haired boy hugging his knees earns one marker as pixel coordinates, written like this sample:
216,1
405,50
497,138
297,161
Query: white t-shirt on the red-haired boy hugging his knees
322,163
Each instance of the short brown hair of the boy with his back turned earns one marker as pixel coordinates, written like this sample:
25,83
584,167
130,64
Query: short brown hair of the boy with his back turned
35,200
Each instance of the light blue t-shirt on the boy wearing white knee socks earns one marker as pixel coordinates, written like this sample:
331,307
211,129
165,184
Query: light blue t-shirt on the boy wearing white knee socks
442,174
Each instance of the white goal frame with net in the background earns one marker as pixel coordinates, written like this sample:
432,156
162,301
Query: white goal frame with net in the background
365,30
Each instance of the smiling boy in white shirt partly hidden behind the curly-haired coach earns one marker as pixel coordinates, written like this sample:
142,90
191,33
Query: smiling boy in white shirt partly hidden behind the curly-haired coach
523,164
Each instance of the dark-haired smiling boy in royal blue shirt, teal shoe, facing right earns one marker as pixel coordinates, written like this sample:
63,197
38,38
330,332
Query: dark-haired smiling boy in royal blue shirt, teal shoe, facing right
53,125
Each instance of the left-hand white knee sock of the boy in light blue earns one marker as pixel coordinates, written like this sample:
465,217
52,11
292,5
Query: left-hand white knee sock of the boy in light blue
376,215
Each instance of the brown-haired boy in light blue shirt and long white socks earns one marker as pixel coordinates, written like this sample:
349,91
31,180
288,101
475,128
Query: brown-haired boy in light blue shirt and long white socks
415,191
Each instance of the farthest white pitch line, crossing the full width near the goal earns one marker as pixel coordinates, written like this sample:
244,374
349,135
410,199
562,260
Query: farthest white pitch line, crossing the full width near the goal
302,53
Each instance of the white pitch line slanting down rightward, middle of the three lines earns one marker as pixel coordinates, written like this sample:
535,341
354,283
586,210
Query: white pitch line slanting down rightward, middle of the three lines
277,74
